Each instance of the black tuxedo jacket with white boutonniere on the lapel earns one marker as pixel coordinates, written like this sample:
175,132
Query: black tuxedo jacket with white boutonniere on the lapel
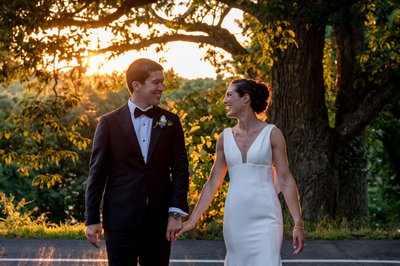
128,186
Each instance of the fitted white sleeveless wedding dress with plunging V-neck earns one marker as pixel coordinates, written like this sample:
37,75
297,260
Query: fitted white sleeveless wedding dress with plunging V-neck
253,227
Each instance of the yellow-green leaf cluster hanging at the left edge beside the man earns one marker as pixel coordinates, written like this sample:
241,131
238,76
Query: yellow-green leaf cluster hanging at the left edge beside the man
30,132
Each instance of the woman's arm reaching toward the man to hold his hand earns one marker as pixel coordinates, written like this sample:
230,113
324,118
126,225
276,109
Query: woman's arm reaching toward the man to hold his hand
215,180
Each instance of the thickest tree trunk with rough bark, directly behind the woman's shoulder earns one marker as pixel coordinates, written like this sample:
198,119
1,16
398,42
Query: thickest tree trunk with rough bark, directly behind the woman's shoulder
298,109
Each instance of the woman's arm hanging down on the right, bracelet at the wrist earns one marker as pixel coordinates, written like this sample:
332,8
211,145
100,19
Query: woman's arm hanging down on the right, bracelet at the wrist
288,187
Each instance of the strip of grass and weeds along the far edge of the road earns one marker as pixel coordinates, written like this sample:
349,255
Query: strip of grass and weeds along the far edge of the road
22,223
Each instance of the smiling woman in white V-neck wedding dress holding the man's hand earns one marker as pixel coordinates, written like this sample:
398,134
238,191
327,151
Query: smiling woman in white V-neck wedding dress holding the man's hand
250,152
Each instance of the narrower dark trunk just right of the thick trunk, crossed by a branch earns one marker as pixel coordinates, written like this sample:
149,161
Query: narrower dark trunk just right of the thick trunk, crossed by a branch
350,160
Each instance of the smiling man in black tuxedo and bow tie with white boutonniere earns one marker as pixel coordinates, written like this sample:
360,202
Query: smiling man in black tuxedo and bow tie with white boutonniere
138,174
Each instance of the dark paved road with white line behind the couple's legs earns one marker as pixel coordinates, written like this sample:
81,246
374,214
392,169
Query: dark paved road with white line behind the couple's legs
27,252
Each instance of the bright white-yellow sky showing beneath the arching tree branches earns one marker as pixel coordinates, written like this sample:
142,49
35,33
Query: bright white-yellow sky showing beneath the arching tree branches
184,57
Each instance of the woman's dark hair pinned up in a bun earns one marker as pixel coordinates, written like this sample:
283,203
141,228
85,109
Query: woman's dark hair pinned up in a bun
258,91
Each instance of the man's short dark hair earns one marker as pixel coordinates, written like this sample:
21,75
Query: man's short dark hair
139,70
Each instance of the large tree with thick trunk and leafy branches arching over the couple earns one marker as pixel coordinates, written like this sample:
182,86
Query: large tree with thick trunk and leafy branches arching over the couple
287,46
